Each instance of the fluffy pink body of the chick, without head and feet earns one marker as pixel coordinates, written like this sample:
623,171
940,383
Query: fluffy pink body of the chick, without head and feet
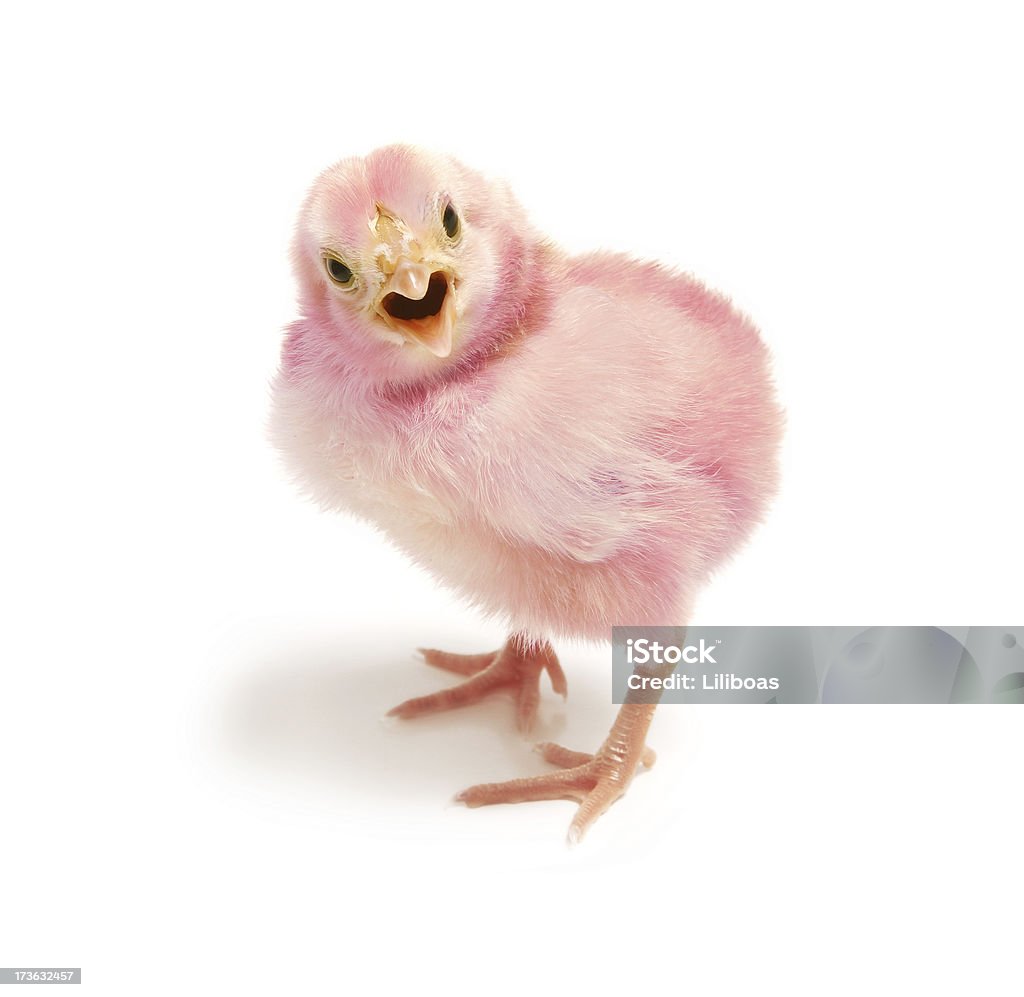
585,465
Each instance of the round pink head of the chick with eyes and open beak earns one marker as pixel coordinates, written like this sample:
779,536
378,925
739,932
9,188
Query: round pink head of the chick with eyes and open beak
409,263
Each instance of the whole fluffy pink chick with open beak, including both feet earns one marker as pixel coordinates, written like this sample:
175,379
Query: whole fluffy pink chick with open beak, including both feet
570,443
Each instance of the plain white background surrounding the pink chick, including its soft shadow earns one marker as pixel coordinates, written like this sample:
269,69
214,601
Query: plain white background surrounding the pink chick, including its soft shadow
195,664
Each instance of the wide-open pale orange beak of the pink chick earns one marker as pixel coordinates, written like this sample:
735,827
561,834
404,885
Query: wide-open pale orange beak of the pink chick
419,302
